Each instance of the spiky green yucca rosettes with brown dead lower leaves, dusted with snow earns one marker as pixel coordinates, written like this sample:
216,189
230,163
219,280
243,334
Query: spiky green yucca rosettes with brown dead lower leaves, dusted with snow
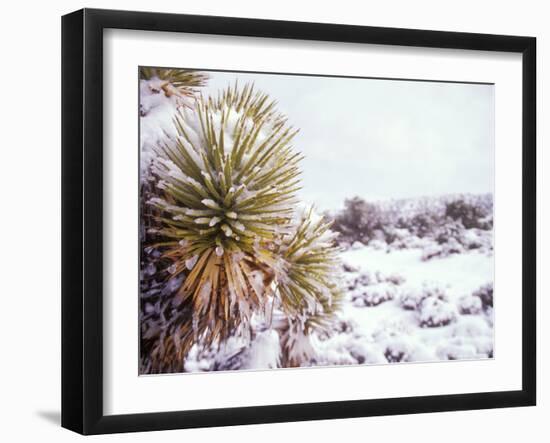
231,241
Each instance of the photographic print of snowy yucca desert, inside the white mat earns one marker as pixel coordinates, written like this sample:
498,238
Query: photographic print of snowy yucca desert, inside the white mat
302,221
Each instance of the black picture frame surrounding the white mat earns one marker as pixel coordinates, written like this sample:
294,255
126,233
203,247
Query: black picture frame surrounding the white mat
82,215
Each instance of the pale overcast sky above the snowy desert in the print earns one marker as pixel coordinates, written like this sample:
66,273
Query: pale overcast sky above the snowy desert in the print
381,139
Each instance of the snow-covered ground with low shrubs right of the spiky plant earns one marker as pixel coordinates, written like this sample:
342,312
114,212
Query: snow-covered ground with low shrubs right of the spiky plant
400,308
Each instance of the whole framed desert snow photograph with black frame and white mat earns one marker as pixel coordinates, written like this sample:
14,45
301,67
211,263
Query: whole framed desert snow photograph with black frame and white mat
270,221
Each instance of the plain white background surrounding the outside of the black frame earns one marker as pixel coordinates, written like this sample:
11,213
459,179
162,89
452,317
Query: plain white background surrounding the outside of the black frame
30,222
